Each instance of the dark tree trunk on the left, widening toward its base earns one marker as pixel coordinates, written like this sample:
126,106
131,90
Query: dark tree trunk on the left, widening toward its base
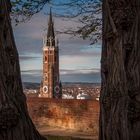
15,123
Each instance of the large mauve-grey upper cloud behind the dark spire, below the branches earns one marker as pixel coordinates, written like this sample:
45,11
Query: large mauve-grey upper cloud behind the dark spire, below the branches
29,36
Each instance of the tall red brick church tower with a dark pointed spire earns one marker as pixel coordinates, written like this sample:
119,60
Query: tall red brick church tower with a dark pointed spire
50,85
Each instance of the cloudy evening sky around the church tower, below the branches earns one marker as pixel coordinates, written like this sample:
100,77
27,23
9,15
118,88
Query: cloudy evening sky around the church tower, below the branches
79,61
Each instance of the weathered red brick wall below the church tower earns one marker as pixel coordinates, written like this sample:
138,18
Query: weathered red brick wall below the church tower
80,115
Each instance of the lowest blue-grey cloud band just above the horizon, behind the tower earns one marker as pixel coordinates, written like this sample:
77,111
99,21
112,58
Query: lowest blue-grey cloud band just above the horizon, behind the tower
69,76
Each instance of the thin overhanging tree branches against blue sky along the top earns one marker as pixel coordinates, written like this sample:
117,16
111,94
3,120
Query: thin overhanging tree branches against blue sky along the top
86,12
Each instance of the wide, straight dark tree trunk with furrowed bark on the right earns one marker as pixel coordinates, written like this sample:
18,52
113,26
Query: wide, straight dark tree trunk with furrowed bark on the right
120,71
